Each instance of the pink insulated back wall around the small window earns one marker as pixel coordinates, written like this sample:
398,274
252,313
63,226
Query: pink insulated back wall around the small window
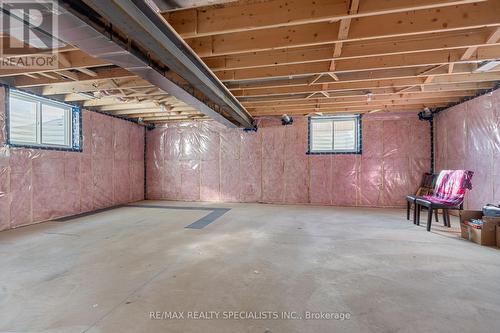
204,161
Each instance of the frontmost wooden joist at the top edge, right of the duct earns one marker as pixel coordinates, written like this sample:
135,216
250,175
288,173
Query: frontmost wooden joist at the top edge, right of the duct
253,15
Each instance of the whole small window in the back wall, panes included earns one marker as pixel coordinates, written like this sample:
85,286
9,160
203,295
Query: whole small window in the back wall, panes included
335,135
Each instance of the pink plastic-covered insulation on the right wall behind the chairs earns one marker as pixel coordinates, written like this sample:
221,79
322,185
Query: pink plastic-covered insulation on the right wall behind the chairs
468,137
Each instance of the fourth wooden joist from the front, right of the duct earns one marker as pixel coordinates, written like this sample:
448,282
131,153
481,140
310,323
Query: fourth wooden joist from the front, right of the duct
368,63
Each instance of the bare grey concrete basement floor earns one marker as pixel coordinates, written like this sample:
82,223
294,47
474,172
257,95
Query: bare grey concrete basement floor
106,272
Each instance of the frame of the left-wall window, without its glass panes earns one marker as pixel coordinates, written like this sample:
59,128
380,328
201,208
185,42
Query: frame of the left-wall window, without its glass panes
73,123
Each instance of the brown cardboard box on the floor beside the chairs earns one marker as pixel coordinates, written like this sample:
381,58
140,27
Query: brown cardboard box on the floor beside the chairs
487,235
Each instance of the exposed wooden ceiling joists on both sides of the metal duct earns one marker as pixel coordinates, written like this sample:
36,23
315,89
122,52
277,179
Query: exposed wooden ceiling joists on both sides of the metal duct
301,57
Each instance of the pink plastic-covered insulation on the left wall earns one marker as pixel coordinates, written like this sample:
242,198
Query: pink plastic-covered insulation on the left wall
38,185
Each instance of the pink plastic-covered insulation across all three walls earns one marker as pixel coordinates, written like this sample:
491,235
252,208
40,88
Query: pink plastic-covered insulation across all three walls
204,161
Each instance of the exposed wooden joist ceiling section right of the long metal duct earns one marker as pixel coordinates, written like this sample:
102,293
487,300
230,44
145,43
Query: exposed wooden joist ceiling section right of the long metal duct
333,54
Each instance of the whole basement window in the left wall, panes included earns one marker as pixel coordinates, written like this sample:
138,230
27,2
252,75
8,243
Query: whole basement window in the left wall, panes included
38,122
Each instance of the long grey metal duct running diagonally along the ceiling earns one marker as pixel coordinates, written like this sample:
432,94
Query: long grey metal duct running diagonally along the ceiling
86,25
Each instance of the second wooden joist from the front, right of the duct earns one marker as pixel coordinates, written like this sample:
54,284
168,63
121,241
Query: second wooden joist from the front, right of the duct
365,28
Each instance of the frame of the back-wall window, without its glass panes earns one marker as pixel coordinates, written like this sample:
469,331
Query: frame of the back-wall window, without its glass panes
358,135
